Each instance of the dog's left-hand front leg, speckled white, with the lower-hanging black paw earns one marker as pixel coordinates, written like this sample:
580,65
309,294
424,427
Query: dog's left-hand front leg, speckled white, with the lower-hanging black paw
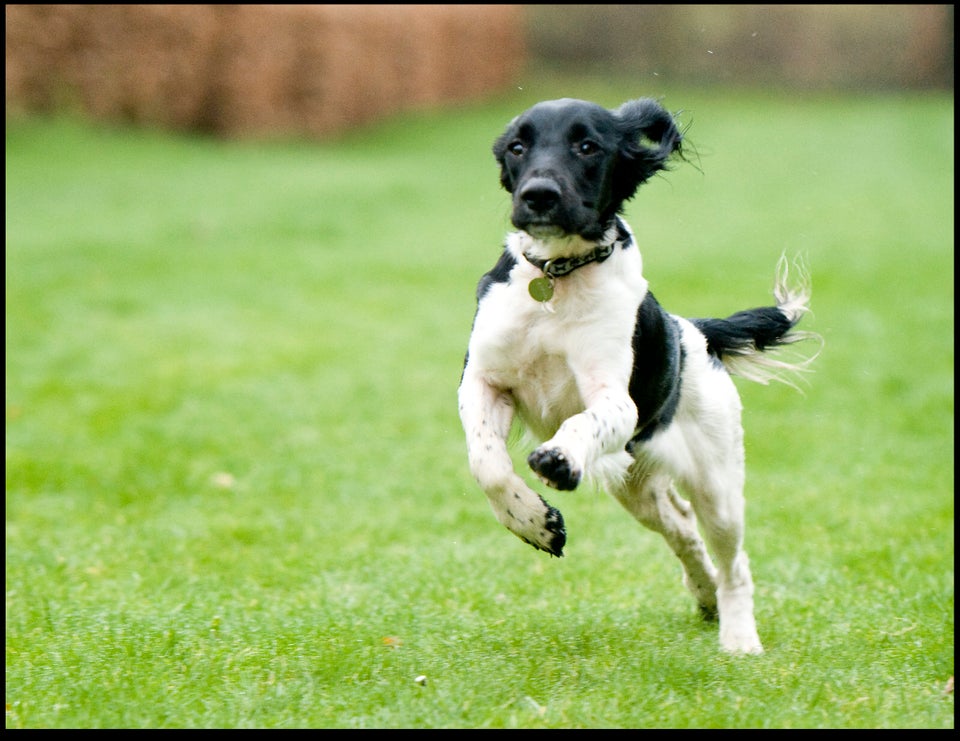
486,414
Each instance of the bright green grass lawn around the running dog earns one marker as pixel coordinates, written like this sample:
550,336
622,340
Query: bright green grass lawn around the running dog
237,493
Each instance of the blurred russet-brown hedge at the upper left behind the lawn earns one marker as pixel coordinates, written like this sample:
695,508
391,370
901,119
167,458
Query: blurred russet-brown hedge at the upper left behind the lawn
240,70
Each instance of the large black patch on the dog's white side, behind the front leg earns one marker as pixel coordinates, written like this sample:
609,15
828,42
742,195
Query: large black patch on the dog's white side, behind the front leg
657,365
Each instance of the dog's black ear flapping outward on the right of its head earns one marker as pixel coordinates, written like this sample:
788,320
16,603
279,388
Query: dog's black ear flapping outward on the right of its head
649,136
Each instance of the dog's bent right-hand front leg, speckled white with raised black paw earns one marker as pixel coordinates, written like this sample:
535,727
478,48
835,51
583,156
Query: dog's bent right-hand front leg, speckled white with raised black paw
601,431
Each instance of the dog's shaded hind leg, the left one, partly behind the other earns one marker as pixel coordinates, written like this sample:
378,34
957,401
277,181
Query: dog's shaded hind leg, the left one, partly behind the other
654,502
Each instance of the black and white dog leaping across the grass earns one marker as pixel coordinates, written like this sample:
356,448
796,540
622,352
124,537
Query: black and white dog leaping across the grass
568,337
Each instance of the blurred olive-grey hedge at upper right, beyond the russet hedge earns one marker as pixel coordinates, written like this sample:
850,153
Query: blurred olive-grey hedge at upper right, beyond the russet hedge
803,46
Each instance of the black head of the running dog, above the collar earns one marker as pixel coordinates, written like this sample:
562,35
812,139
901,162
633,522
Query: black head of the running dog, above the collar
571,164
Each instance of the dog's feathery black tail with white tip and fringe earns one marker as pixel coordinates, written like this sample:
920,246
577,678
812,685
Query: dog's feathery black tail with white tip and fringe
743,340
